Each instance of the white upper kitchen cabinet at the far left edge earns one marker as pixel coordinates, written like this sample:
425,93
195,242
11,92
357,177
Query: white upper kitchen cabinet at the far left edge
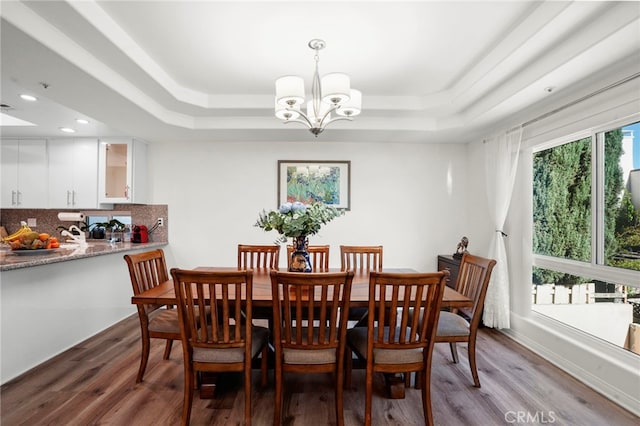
24,173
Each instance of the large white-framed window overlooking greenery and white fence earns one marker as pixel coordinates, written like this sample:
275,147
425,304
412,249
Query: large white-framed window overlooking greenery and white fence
586,236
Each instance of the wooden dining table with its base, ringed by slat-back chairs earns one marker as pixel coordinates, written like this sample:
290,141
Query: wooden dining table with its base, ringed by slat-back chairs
164,294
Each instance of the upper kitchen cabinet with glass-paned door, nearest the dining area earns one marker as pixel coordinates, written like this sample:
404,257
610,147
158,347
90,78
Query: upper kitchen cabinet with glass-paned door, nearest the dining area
122,171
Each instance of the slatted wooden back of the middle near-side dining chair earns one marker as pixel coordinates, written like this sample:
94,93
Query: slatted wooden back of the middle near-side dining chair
308,307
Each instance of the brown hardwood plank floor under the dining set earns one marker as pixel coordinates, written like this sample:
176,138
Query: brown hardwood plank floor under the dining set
94,384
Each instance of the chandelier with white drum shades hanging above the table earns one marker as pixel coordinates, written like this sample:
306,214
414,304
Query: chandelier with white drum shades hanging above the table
330,94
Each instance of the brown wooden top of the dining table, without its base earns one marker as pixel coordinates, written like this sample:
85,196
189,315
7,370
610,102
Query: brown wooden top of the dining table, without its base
164,294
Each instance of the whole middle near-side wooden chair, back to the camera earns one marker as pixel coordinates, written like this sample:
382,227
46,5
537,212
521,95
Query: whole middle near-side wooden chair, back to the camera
309,330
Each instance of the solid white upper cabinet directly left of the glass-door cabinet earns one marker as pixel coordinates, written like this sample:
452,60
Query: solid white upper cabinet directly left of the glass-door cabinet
73,176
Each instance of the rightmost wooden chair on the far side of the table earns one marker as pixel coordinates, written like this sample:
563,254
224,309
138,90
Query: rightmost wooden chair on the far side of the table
361,260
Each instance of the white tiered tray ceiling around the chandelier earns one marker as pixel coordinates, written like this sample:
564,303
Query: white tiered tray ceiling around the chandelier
429,71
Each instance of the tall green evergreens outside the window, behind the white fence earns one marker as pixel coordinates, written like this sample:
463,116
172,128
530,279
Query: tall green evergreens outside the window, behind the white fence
562,203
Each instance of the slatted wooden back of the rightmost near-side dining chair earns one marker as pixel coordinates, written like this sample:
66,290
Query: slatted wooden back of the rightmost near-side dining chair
395,326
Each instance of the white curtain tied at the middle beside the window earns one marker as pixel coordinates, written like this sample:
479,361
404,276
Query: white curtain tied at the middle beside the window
501,162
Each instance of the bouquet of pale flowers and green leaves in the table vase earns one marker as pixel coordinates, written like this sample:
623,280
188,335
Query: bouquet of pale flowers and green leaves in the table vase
297,219
